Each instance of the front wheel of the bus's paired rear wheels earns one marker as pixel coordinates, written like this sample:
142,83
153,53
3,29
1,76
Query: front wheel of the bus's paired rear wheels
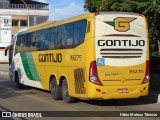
55,90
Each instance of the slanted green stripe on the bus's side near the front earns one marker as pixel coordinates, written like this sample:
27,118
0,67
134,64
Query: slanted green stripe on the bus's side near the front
29,66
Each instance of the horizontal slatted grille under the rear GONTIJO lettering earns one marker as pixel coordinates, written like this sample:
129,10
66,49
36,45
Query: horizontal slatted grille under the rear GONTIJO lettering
121,53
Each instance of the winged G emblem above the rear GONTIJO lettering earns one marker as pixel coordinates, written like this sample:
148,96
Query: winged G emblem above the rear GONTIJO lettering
121,24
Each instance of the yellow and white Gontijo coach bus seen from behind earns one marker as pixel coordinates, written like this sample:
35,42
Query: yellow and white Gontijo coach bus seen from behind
92,56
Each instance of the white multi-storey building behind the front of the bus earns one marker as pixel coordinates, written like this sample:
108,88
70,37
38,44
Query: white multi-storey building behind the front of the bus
18,14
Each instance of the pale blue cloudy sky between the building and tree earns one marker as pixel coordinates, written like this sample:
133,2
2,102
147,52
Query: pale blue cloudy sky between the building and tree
61,9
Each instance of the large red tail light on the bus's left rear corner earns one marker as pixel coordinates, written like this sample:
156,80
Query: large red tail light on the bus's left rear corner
94,74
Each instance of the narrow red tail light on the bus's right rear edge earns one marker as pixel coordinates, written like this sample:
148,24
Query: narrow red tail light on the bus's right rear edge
147,74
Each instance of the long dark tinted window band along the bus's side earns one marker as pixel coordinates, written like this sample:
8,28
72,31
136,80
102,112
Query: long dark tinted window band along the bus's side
64,36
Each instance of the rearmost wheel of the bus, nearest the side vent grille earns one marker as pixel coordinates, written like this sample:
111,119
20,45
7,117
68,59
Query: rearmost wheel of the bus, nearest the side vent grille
65,94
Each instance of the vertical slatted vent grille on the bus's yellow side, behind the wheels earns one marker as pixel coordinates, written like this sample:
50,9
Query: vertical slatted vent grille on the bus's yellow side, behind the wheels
79,75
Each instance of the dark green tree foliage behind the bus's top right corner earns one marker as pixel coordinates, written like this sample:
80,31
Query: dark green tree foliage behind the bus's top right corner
150,8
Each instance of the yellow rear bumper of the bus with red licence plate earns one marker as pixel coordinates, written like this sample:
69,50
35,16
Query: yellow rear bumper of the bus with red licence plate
117,92
